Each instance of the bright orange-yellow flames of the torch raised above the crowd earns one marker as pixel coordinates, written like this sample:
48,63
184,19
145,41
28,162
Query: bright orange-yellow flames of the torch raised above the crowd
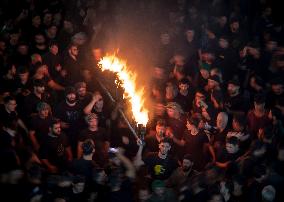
127,82
